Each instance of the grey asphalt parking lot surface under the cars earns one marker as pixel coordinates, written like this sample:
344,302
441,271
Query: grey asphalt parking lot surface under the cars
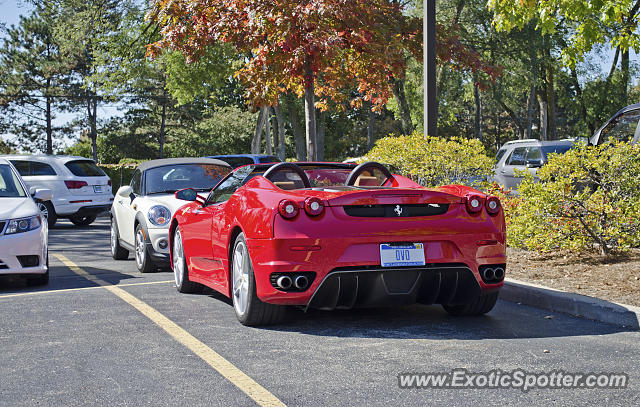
102,334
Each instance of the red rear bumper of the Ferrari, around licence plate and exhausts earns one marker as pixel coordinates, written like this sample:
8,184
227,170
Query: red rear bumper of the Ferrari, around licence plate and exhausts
346,272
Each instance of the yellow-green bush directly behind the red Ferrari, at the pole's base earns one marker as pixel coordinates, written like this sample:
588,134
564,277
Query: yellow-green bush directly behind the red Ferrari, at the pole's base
434,161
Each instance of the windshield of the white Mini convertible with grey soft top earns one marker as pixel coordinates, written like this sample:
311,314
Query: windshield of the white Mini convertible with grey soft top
171,178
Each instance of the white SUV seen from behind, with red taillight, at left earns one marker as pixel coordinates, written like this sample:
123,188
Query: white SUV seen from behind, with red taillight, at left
81,190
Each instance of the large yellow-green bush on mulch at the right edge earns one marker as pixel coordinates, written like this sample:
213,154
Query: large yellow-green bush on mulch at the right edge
587,199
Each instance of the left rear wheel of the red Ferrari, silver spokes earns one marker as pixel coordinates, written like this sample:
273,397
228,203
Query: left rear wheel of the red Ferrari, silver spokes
248,307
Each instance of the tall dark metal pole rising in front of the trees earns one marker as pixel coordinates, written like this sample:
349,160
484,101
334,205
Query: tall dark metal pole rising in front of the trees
429,41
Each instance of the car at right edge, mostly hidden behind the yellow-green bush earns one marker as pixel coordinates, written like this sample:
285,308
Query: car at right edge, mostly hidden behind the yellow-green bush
623,126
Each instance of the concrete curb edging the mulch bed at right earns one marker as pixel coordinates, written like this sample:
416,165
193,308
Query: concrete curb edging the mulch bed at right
577,305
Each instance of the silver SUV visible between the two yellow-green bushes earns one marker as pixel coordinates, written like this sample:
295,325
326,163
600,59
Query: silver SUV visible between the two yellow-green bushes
525,155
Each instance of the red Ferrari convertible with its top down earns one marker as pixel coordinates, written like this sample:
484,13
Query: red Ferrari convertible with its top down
329,235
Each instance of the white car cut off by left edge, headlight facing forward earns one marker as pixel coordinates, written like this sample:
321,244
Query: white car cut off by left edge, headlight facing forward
23,234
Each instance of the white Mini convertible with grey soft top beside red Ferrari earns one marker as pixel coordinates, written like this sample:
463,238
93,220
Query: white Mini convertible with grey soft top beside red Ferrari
141,211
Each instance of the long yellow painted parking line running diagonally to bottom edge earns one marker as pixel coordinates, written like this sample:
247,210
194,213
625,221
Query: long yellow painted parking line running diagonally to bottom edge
249,386
